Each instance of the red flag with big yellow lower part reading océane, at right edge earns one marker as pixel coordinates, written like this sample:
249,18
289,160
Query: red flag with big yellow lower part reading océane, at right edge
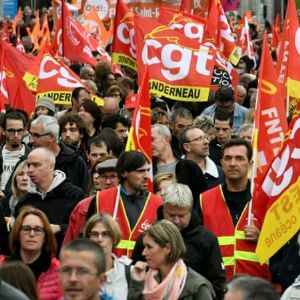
280,190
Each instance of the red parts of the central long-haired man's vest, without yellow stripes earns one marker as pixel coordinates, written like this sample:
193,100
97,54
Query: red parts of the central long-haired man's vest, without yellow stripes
106,203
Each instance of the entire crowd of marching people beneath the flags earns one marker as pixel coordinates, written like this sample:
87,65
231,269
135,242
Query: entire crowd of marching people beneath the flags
78,219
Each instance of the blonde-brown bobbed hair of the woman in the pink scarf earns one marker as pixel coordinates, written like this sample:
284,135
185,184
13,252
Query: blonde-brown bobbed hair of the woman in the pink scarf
165,232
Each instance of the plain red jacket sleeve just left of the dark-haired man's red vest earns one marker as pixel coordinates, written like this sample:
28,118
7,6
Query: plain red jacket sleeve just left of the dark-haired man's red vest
77,220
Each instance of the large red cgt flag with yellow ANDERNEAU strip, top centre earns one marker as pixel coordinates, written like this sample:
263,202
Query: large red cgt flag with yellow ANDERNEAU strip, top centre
179,68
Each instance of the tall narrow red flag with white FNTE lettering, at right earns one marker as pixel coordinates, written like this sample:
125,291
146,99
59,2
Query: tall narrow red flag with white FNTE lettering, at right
270,124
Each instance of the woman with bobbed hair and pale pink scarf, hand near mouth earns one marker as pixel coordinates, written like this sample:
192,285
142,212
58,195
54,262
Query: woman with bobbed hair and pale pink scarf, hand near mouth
167,276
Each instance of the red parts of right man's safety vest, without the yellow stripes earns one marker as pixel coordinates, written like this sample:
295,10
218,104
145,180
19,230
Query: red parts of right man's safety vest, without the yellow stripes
217,218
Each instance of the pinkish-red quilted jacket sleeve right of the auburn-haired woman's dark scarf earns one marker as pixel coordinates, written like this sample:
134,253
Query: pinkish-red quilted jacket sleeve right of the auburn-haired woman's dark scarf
48,283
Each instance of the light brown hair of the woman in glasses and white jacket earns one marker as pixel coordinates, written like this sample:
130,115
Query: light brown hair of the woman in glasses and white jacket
112,226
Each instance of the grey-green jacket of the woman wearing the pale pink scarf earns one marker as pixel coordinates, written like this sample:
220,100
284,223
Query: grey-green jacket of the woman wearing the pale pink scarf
195,288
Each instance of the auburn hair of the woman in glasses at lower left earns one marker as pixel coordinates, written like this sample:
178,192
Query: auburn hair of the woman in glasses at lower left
14,239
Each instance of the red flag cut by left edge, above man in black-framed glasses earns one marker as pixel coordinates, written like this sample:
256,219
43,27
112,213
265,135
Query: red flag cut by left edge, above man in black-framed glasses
13,90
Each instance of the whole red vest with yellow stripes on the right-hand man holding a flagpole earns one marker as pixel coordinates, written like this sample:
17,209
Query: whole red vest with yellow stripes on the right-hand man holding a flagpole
238,255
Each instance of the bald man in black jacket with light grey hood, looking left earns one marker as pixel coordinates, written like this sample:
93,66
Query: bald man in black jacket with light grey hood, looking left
50,191
